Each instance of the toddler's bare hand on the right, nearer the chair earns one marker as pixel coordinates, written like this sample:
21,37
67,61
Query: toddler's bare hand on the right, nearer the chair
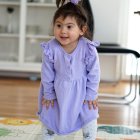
92,104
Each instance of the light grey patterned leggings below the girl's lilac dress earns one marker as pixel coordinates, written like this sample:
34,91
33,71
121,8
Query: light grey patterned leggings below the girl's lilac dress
89,132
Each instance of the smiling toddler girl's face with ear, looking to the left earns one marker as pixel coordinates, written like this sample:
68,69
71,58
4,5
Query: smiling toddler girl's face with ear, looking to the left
67,32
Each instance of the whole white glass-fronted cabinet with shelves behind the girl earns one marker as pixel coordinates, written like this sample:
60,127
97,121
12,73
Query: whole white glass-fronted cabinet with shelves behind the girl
23,25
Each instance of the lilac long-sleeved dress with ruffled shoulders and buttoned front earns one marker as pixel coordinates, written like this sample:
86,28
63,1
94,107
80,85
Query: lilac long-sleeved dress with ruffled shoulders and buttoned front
69,79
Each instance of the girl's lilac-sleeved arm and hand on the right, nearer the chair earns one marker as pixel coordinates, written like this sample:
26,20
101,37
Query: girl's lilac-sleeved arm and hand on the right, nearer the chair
93,78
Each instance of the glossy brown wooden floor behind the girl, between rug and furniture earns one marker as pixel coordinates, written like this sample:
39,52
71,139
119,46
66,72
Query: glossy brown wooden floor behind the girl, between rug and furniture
18,98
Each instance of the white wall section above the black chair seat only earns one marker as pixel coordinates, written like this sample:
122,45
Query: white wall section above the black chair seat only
111,20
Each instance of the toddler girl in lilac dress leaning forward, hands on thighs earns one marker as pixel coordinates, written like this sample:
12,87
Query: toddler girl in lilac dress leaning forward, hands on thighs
70,77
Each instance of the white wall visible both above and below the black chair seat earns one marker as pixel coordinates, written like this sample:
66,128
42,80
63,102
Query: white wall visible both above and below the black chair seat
111,26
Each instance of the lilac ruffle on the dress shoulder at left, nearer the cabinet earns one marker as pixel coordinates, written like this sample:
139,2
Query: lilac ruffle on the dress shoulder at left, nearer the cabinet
47,51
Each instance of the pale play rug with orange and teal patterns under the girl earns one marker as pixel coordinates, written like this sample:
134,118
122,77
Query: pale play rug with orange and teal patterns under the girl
29,129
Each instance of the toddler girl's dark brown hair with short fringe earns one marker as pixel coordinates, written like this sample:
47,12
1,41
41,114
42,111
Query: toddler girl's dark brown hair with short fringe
76,11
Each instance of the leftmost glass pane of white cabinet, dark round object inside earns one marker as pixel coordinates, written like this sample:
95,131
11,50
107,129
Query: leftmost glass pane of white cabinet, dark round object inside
9,31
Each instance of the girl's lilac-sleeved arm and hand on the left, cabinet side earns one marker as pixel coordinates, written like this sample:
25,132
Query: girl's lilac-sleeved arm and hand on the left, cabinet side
47,75
